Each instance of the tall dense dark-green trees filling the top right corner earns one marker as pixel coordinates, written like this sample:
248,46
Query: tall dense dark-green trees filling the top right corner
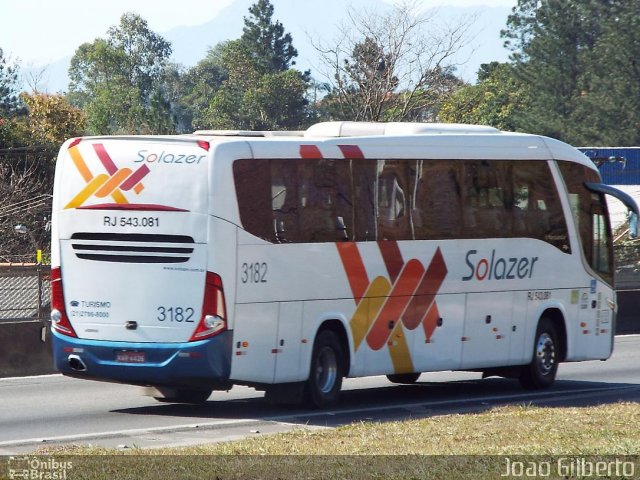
579,60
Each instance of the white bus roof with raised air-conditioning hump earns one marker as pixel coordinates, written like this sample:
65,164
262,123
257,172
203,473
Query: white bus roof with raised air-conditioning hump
393,140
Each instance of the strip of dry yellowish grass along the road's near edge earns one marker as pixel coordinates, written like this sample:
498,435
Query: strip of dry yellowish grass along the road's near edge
450,446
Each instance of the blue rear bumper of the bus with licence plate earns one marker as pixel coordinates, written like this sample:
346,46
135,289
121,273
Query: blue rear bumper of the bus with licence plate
204,364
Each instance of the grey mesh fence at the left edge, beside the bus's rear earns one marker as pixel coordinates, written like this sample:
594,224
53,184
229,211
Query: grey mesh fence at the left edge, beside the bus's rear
25,292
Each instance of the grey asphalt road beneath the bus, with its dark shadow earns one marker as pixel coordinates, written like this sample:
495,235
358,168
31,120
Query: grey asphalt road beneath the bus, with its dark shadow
39,411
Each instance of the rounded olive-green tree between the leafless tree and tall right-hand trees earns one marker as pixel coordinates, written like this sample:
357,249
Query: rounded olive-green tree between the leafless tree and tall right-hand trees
498,99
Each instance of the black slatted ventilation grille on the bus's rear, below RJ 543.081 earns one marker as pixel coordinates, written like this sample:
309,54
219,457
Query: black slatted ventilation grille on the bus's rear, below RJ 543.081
132,247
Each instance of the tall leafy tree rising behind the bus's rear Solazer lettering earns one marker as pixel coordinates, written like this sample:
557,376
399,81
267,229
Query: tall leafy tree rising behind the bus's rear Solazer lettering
115,80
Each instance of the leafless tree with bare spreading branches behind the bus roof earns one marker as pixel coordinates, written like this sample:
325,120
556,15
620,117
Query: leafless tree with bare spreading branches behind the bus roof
392,66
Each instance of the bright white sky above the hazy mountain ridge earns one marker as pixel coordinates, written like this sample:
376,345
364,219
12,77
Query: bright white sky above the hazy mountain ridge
39,32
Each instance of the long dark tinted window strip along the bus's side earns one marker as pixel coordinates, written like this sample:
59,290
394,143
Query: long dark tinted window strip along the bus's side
324,200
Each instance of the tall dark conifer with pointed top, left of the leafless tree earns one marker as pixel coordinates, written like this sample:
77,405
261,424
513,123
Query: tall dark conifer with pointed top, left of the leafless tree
266,41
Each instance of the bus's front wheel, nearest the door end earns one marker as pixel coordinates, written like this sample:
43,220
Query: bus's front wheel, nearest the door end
541,372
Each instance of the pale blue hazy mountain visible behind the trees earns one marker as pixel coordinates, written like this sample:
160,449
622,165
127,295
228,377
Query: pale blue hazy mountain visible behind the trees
310,23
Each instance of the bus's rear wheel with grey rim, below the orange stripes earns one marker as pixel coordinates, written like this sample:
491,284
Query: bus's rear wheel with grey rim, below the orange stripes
327,369
